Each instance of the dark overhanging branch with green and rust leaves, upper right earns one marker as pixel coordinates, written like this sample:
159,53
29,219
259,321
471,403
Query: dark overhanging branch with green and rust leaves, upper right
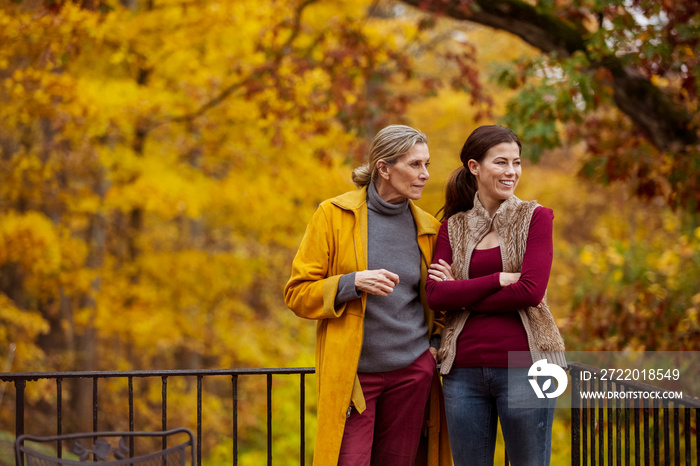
619,76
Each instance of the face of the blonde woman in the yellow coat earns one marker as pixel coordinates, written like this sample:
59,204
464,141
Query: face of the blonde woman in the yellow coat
406,178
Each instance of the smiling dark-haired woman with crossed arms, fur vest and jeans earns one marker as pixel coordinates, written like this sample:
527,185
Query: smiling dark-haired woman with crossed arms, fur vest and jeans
497,321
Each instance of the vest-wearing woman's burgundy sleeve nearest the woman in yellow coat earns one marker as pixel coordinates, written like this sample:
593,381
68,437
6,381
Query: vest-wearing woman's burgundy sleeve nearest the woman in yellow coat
456,294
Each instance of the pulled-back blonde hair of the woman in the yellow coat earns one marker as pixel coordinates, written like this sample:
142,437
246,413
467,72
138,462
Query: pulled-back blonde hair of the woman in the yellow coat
389,144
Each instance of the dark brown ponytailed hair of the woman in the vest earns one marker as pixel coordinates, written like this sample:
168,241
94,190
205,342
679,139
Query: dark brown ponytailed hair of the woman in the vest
462,185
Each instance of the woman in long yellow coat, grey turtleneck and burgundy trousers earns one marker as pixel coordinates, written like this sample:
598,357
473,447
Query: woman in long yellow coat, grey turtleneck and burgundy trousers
360,272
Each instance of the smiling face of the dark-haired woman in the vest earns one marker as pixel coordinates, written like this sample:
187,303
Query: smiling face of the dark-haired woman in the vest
498,173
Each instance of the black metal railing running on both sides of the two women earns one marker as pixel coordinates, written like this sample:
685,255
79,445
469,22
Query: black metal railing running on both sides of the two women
600,430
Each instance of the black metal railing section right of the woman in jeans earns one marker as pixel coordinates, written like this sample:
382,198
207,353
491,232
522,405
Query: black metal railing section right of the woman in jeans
633,427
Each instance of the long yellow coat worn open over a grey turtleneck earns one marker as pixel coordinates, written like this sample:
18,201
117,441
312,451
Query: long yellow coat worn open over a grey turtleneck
335,244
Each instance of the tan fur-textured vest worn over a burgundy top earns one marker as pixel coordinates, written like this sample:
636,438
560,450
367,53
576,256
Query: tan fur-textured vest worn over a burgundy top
512,223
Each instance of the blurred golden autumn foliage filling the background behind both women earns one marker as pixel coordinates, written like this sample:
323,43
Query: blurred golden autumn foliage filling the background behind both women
160,159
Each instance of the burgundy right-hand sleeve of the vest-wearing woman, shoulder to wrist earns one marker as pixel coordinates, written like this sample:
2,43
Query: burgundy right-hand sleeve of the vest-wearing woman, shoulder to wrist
537,264
